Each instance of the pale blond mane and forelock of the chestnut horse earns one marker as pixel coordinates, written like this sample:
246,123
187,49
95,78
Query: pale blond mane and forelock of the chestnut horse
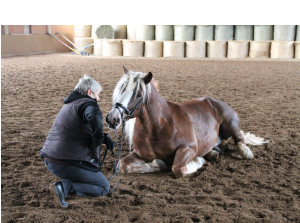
129,82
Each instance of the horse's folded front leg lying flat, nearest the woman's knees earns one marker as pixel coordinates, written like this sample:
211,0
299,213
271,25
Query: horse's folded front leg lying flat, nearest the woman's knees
134,164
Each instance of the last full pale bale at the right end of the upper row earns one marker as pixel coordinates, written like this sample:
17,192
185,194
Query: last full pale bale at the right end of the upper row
284,32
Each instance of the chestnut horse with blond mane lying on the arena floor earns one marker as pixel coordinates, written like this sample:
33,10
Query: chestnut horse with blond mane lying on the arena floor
167,135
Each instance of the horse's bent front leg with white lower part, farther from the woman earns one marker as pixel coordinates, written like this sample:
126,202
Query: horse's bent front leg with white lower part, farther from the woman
186,162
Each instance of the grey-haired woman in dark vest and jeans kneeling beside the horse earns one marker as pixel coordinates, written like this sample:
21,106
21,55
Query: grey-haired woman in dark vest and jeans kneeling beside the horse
72,148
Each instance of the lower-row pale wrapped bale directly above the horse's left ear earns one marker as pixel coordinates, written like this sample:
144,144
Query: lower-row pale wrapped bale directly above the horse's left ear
133,48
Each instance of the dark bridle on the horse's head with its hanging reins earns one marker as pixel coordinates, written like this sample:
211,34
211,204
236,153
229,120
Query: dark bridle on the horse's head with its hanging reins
129,114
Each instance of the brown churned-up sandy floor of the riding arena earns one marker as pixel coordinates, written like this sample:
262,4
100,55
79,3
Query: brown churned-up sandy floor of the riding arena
265,94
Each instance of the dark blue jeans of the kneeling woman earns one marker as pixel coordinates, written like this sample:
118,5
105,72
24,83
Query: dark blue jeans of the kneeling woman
80,181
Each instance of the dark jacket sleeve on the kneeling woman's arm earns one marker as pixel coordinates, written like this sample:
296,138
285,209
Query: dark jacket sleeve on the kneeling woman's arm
93,115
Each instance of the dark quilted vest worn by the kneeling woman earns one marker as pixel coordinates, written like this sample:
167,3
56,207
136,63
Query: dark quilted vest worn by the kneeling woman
70,138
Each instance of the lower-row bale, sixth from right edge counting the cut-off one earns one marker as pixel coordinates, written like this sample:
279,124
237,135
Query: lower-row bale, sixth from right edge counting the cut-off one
195,49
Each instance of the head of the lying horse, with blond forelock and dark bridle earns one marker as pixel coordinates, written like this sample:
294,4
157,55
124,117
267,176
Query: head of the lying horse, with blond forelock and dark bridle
131,93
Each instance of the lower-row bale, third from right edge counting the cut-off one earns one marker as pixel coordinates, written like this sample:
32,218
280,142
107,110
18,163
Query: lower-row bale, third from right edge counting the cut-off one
260,49
